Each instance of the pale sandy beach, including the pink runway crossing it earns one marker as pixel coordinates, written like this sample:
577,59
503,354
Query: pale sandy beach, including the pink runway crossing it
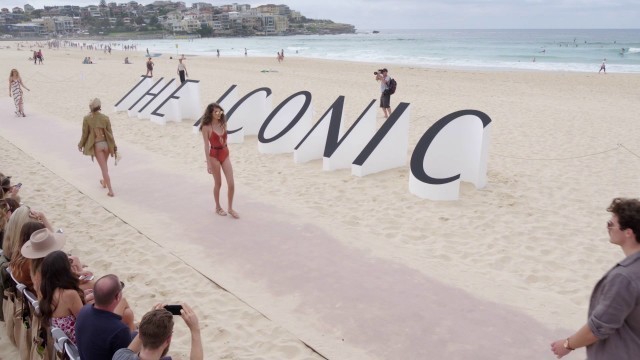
356,268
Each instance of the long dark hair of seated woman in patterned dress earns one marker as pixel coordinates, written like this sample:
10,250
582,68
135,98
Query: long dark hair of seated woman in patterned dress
56,273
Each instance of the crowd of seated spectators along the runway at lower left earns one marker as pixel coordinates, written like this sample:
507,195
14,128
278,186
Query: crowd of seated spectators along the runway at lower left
94,315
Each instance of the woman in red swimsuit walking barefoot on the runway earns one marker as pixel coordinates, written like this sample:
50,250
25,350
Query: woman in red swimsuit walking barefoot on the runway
214,135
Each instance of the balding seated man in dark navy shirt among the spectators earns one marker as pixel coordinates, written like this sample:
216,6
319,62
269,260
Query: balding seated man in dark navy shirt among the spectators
99,331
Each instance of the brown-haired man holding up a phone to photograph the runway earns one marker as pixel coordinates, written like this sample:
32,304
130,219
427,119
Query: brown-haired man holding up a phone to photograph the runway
154,336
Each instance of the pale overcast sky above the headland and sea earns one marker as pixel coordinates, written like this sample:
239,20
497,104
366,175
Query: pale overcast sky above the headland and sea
443,14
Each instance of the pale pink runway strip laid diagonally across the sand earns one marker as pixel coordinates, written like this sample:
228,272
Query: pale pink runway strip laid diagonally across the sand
341,301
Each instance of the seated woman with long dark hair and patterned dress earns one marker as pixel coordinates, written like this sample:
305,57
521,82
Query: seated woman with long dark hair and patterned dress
61,297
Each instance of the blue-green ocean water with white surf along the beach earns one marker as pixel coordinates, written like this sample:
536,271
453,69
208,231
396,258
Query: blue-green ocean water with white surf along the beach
552,50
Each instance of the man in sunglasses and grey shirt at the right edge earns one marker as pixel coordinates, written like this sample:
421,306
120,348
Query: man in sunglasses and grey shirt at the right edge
613,326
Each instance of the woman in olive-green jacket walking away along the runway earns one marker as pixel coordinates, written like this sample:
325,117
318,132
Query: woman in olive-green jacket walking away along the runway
97,141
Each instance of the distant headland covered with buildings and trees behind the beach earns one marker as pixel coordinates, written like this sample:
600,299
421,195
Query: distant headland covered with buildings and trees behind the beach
161,19
